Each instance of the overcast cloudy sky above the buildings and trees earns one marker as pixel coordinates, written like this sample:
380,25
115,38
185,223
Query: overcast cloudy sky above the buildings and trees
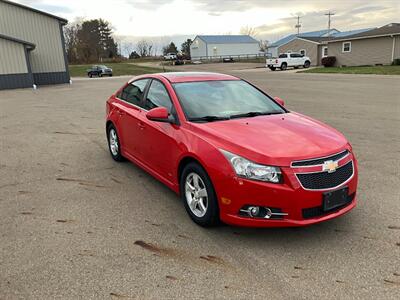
273,19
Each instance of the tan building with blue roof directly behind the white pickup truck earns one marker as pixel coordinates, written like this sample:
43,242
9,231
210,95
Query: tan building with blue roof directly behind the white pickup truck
312,44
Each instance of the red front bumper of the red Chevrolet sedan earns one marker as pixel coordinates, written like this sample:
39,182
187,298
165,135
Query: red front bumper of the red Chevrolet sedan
290,197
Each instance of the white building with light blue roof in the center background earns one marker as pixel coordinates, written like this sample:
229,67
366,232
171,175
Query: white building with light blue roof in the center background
208,46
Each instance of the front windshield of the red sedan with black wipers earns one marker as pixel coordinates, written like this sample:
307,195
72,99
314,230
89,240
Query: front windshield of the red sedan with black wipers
216,100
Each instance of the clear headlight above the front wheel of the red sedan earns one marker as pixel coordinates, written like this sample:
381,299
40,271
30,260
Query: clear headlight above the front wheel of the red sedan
248,169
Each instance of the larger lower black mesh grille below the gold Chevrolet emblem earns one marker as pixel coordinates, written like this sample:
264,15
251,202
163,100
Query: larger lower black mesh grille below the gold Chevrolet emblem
325,180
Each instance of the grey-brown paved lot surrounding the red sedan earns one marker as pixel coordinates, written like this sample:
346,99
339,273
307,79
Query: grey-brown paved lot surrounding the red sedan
76,224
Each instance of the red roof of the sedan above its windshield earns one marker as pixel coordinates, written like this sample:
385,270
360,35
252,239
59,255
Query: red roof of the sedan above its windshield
179,77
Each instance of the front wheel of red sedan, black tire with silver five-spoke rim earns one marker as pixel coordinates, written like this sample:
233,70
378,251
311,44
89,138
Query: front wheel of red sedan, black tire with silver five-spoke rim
198,195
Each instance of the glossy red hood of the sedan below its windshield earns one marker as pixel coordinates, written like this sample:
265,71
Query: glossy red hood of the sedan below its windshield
274,139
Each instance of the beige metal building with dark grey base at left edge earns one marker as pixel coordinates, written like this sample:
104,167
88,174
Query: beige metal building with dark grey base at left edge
32,47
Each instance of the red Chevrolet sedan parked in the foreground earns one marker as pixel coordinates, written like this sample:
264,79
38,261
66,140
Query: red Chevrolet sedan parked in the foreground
233,153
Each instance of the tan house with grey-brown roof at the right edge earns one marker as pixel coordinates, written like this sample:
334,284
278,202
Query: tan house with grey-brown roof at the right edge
379,46
